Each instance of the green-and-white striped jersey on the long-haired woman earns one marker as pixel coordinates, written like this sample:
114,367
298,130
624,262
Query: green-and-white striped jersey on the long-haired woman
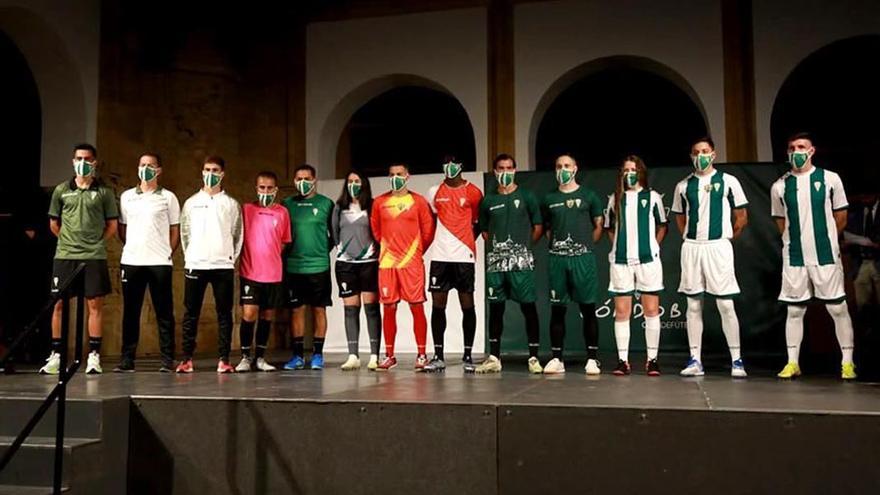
635,231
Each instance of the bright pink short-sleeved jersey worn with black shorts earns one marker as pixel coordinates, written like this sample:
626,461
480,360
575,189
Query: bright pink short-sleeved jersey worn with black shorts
266,230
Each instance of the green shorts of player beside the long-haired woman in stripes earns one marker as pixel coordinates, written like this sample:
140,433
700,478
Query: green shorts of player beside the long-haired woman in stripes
573,279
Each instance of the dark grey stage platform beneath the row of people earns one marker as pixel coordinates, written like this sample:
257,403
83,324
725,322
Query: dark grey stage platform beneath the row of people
401,432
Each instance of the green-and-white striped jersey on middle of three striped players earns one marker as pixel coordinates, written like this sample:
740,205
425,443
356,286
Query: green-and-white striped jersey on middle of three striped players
707,201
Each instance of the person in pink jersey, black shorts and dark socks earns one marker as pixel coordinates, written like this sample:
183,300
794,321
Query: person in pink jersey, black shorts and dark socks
266,232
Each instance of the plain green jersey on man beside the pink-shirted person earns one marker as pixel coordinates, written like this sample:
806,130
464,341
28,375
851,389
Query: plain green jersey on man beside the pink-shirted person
310,220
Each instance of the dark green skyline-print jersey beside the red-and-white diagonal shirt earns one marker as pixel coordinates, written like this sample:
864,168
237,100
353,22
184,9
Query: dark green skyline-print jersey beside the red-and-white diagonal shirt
509,218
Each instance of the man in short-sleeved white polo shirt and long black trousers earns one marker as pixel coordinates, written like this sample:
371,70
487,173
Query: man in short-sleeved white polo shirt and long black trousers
149,228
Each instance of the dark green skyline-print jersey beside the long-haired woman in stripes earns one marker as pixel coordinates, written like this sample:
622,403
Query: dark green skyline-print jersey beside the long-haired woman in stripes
570,216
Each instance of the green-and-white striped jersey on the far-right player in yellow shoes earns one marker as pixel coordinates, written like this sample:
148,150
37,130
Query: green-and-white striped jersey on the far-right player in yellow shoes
807,202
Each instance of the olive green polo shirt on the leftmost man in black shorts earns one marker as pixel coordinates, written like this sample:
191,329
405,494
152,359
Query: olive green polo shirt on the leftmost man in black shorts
83,214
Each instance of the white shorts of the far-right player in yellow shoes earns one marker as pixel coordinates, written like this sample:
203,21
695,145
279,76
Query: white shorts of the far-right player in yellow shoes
802,283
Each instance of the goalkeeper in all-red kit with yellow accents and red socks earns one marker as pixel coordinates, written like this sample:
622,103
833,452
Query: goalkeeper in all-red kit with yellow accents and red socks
402,223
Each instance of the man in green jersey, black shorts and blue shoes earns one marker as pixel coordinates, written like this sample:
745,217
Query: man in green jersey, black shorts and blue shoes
308,265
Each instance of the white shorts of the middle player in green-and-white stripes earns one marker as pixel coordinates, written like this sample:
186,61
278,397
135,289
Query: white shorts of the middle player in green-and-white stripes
707,267
